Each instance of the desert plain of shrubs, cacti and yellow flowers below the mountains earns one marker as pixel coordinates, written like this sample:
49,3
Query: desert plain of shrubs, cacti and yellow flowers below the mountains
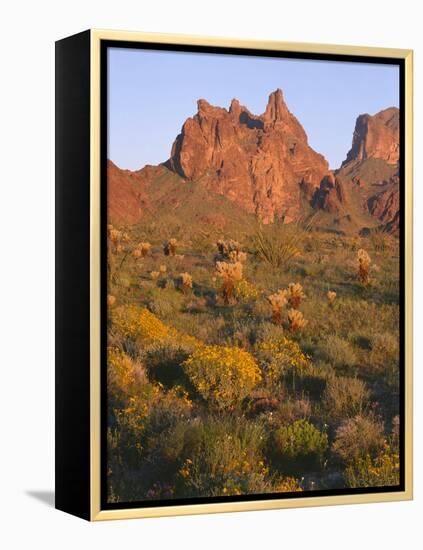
264,361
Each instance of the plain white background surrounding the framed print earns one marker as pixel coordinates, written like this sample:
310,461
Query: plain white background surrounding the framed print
29,29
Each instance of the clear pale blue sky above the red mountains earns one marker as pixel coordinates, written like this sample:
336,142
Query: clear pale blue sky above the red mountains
152,93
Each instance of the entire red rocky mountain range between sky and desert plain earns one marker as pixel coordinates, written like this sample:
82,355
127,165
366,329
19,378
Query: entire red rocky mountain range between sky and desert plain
263,165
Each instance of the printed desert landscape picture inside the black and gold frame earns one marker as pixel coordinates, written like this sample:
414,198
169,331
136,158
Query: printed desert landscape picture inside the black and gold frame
253,276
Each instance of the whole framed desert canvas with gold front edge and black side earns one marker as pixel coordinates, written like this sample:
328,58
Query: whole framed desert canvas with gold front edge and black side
233,280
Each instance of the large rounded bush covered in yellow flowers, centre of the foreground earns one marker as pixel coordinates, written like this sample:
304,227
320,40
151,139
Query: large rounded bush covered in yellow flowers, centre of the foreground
222,375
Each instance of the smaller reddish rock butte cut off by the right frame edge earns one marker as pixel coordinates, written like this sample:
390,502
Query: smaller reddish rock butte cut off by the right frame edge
376,137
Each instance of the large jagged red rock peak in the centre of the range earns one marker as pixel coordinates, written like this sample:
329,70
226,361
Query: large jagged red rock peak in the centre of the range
262,163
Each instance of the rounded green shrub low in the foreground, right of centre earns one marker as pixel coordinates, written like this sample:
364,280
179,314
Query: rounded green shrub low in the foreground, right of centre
299,445
